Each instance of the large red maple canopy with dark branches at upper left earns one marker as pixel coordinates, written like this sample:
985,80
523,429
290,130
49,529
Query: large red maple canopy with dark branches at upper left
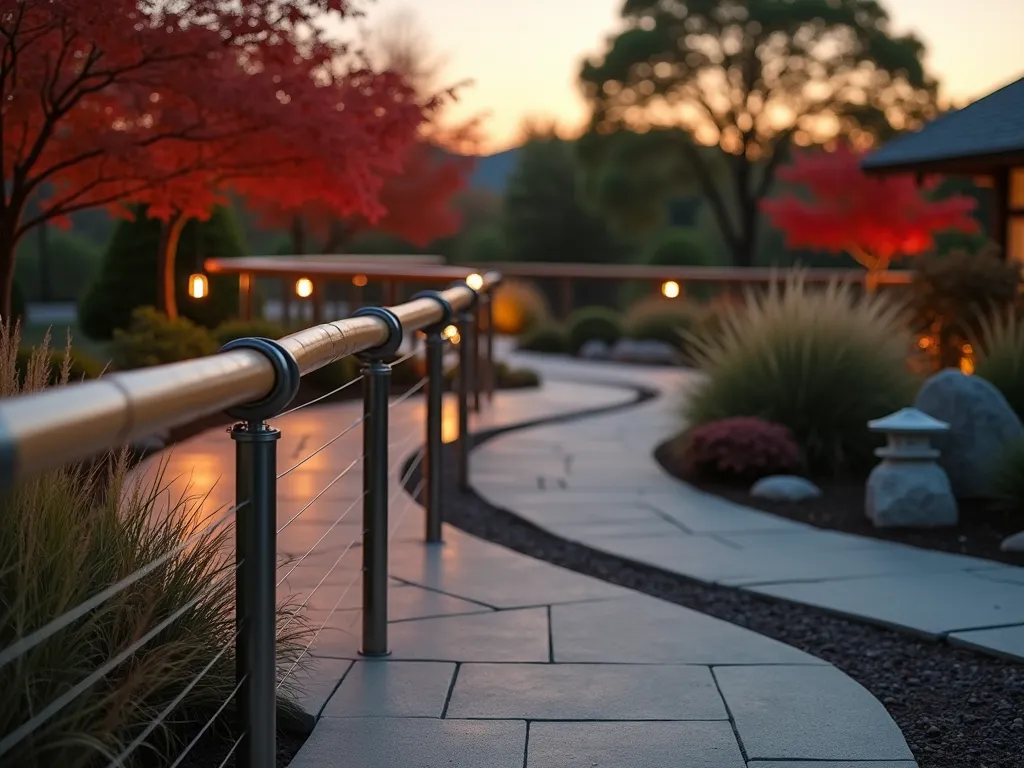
167,103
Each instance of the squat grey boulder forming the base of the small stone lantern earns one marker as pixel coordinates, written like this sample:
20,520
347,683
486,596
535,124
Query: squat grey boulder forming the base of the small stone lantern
914,495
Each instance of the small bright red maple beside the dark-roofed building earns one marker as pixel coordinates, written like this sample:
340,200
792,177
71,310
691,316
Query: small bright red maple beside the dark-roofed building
875,220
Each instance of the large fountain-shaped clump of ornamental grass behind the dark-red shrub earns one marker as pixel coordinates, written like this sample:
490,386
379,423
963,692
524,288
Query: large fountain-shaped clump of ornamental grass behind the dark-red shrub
823,363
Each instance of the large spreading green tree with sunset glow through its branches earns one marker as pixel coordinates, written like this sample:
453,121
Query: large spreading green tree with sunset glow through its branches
710,96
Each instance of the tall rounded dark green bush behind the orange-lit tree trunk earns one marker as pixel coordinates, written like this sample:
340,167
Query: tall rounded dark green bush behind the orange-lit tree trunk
130,275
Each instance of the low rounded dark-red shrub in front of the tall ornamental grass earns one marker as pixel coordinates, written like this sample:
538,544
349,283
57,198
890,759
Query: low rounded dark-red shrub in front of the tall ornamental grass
739,451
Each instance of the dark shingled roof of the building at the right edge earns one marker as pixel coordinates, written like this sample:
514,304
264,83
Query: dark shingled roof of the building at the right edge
963,140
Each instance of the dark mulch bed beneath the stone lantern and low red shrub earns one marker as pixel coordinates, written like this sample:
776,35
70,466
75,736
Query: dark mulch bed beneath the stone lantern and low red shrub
983,526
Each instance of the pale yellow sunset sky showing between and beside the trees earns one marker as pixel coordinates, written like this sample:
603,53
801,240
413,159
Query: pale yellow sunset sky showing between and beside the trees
524,56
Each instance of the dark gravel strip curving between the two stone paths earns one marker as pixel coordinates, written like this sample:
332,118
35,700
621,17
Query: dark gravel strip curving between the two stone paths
957,708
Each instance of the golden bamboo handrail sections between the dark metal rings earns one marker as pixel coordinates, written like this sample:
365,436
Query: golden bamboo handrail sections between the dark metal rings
48,430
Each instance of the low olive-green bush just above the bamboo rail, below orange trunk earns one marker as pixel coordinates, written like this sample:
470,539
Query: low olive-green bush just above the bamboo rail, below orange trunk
153,339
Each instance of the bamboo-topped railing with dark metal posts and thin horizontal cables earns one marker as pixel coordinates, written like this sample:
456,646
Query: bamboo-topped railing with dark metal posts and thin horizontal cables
254,381
